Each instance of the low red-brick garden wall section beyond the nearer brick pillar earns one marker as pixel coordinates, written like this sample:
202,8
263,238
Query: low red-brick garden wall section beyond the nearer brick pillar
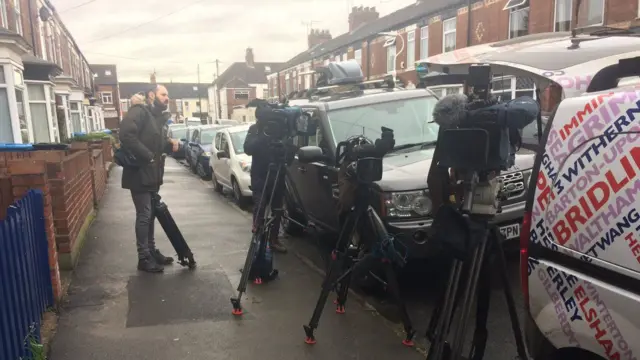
72,197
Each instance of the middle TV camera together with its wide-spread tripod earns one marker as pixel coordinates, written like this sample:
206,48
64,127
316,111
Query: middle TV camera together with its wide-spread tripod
360,162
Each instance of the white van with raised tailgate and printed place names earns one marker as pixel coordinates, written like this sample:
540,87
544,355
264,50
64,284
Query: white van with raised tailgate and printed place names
580,242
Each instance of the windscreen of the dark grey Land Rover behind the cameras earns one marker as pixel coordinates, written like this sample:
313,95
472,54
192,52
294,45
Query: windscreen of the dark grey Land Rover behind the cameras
409,119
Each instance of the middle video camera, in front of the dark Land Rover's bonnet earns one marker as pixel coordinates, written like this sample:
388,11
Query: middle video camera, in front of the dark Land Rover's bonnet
364,157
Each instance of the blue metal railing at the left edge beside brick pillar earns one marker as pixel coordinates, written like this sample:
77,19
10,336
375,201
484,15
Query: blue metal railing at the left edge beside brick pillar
25,280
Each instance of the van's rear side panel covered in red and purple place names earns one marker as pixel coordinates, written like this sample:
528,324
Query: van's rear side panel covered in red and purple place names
580,244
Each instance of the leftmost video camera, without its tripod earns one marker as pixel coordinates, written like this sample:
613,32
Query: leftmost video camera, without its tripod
280,122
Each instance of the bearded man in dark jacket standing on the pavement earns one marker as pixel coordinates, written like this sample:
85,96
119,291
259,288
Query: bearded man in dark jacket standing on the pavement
142,133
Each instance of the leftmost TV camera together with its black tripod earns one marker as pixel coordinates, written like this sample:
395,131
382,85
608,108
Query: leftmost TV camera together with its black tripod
278,123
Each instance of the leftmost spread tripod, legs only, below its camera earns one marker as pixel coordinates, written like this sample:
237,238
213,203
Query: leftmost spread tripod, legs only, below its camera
256,264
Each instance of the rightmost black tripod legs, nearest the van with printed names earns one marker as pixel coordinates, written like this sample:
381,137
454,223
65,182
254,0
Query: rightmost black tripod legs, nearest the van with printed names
484,238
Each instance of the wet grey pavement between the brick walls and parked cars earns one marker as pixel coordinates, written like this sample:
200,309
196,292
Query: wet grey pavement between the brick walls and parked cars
114,312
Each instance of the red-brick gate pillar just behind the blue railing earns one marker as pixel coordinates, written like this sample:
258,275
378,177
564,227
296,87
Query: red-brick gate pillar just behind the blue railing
29,174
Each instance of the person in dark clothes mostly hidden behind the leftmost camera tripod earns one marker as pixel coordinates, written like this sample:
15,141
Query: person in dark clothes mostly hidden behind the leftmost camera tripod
256,144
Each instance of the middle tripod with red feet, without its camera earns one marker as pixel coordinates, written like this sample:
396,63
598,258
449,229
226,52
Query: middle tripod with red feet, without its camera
344,264
